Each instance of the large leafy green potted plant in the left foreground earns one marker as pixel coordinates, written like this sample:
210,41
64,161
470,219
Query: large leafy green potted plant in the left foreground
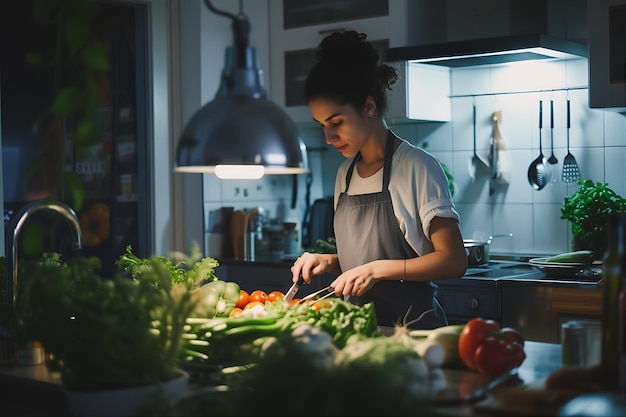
107,334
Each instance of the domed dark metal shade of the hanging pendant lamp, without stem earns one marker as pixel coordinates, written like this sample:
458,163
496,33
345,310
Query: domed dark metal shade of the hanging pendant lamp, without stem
241,130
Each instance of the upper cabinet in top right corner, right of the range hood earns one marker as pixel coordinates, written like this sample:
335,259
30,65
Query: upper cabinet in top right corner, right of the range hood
607,54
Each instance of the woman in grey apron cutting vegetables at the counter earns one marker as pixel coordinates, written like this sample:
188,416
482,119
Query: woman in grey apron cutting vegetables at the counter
395,223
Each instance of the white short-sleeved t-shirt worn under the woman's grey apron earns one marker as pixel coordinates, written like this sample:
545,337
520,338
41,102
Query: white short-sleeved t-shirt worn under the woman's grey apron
419,191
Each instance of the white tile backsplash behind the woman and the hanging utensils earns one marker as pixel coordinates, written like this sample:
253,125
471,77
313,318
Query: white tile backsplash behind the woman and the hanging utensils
597,140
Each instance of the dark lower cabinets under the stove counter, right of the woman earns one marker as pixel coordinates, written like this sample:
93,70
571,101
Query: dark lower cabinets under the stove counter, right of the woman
529,301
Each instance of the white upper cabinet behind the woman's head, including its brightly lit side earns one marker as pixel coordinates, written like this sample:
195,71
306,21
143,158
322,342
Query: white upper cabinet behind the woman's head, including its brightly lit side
297,27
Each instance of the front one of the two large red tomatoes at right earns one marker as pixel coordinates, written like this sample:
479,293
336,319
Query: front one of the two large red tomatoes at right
496,356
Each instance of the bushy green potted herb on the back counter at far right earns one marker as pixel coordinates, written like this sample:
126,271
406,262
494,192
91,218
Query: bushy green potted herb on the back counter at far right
588,210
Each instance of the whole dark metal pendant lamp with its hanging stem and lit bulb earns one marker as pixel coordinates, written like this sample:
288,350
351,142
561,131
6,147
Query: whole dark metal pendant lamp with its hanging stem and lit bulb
240,134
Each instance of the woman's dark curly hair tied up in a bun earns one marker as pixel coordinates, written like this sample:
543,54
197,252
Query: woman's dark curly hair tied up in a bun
347,69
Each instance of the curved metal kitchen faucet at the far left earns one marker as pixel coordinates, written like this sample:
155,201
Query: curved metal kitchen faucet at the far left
15,228
